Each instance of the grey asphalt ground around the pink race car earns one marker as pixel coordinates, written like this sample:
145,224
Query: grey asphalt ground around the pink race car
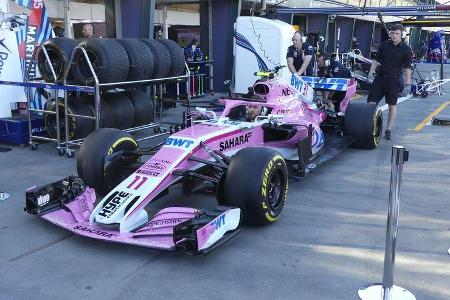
328,242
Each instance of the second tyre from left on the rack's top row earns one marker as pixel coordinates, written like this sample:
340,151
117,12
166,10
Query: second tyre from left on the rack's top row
109,61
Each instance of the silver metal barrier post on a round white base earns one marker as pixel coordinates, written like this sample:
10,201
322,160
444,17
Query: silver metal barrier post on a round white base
387,290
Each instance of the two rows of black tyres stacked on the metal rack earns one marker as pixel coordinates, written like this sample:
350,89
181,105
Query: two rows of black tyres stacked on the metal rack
113,60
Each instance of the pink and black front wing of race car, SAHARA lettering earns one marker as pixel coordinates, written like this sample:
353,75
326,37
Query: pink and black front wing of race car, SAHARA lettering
195,230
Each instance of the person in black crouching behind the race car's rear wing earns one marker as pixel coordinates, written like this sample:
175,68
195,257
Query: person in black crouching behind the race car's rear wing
335,69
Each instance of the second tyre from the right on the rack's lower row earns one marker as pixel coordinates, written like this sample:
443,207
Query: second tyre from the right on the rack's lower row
122,110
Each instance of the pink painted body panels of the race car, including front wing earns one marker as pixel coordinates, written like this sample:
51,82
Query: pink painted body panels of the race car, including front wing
157,172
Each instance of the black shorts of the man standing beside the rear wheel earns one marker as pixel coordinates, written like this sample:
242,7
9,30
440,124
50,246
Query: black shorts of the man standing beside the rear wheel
387,87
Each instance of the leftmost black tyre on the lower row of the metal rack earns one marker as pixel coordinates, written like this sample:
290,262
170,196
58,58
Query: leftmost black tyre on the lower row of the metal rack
78,127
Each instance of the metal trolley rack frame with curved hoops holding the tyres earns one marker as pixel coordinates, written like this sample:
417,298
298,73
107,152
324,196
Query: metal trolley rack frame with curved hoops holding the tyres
65,146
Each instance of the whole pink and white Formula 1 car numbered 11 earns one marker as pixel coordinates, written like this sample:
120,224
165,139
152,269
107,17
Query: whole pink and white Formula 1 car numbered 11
247,163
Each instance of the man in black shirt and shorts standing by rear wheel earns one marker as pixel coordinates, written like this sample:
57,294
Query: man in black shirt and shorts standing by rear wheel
393,56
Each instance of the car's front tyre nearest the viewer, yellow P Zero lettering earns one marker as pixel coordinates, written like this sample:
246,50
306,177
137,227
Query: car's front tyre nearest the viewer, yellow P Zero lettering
256,182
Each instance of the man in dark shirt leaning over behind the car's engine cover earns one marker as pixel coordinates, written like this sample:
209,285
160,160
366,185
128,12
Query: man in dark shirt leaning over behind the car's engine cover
299,56
